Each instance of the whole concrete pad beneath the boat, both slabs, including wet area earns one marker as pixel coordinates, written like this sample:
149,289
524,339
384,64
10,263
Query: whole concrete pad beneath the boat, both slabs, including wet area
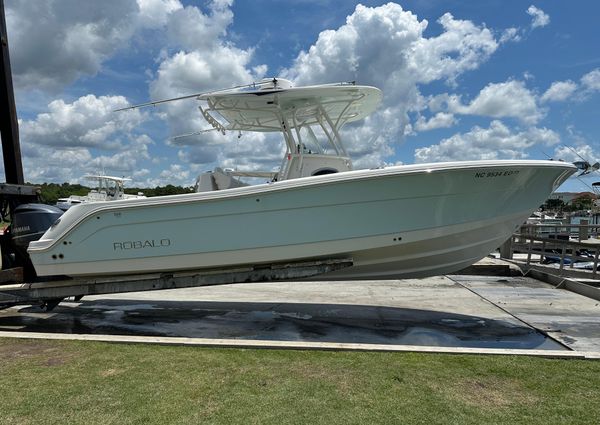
455,313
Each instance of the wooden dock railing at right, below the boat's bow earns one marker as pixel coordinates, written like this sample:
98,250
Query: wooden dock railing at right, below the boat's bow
568,245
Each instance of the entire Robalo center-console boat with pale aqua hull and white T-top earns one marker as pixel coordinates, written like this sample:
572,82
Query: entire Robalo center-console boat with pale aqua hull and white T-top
392,222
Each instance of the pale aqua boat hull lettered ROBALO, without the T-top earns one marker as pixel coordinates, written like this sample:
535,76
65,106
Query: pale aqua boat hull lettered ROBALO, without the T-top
407,221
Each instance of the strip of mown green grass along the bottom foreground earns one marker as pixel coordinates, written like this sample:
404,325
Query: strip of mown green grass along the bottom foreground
57,382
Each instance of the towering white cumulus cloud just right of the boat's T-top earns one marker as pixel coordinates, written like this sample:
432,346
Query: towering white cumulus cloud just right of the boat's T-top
361,50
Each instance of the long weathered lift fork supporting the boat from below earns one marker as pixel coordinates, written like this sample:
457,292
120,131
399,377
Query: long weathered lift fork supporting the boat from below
48,294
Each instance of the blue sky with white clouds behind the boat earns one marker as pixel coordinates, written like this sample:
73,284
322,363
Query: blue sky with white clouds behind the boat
461,80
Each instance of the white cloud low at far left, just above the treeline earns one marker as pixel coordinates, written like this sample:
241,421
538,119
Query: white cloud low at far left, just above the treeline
63,143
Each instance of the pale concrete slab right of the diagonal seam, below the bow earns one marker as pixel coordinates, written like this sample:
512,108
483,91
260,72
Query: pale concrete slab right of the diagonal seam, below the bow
570,318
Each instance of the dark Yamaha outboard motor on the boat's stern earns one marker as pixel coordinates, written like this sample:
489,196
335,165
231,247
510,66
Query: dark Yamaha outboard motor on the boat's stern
30,222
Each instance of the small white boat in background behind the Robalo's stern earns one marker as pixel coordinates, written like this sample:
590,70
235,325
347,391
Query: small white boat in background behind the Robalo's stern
107,188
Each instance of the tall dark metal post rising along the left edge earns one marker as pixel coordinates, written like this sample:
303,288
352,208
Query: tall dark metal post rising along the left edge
9,127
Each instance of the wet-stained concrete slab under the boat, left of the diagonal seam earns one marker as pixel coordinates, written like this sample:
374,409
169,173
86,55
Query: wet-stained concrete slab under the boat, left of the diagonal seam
432,312
